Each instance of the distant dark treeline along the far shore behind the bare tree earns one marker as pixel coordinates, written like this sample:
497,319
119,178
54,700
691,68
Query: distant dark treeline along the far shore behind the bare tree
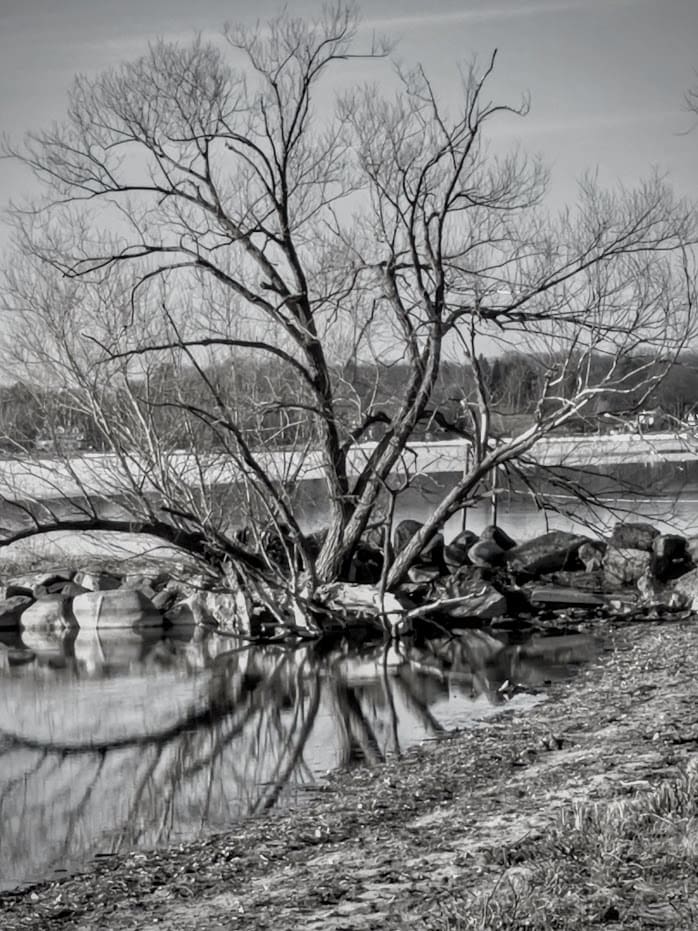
271,406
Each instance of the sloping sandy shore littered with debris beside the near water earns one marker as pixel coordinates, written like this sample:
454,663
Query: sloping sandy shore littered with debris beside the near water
432,835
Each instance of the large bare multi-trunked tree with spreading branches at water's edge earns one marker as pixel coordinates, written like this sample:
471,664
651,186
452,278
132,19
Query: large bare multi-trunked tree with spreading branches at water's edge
228,232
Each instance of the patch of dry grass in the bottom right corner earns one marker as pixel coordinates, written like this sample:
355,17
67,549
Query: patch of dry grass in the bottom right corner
630,864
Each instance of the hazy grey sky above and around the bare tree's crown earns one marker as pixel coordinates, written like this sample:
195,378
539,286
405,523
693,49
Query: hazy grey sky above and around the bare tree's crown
606,77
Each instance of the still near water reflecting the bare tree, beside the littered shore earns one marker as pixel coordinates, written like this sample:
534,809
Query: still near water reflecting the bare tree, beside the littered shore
111,741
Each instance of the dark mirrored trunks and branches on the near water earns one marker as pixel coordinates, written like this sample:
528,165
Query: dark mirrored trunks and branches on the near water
240,753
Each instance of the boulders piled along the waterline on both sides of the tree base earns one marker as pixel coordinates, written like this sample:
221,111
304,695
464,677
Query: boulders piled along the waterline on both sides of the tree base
471,580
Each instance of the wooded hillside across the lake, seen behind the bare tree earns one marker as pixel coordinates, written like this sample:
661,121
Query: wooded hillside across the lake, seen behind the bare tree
263,397
